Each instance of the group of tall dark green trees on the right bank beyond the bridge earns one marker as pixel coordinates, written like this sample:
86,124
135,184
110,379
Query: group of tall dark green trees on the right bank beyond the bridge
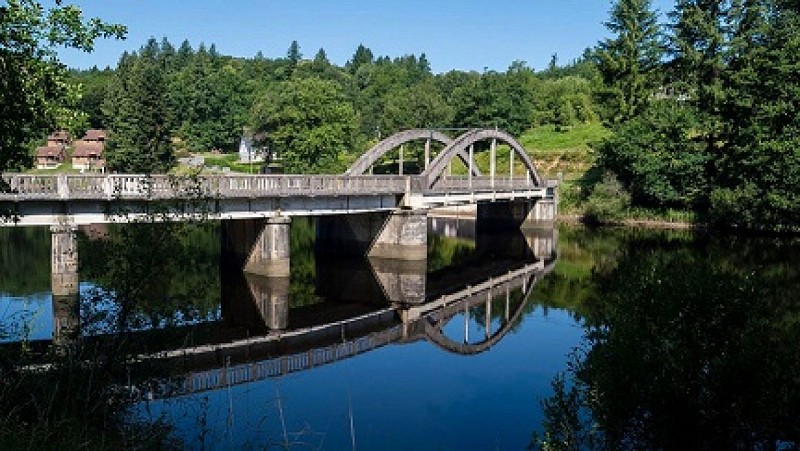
705,111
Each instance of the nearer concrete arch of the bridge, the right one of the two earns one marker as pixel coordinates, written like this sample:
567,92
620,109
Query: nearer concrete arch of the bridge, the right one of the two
460,145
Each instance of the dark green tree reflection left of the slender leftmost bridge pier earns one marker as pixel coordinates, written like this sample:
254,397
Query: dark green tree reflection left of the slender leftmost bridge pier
25,260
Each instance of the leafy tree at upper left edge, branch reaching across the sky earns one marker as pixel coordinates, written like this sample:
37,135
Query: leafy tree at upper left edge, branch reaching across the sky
35,95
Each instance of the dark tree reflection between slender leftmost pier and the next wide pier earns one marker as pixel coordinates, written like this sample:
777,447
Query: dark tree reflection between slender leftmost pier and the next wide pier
160,271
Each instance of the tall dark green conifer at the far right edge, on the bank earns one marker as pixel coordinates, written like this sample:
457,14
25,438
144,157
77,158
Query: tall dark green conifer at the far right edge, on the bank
759,168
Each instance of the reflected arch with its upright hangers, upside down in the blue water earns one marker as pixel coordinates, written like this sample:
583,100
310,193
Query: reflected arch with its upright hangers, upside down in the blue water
435,323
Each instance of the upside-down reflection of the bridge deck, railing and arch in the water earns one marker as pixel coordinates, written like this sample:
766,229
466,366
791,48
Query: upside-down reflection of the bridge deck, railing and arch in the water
280,353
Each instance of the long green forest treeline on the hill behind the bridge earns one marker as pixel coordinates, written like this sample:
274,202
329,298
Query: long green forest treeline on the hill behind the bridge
316,114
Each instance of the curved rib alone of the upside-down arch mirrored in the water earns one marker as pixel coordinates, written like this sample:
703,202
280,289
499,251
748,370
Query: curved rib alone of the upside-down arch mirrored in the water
434,334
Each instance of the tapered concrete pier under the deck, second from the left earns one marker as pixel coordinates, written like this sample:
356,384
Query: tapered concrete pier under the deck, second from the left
258,246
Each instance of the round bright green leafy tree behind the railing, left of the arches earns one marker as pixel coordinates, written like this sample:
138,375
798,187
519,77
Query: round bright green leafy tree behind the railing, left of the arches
308,122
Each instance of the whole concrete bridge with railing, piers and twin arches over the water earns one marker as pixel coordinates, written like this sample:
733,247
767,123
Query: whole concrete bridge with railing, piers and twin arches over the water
362,213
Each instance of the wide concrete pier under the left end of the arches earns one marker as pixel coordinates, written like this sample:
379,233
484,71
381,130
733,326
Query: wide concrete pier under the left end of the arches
400,235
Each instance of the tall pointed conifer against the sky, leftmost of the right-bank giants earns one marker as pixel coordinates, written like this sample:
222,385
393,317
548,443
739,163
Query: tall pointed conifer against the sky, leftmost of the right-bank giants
629,62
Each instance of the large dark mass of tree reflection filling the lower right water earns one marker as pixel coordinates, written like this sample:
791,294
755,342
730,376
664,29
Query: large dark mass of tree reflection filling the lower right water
685,350
